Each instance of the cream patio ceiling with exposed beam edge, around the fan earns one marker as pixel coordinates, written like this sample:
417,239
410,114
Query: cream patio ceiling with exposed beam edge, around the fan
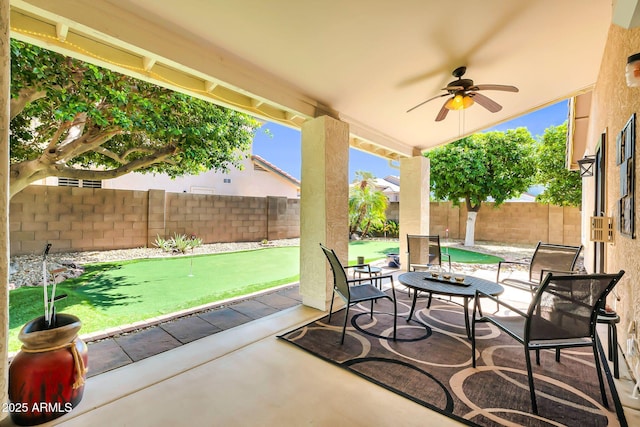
364,62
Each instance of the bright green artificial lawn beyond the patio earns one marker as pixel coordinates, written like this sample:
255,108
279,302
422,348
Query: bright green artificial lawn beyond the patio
119,293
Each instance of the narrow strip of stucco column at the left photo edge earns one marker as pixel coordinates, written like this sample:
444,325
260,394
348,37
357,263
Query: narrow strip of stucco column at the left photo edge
5,96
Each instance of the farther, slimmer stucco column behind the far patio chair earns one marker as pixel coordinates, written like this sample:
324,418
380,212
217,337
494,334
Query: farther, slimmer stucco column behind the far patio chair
414,200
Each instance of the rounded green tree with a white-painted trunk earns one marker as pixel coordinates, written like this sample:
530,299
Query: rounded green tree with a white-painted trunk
495,165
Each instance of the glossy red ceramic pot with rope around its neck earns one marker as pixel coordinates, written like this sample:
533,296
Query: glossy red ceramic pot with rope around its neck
46,378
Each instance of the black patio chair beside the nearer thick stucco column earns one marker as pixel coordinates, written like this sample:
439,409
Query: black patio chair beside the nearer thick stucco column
354,291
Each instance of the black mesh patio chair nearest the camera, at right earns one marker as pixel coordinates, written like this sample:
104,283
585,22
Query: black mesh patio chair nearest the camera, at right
562,314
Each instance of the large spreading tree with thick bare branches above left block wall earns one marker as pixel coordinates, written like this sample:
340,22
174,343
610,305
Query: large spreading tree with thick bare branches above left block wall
77,120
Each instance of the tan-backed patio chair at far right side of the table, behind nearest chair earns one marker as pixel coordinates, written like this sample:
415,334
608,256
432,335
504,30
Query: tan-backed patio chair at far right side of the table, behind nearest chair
546,257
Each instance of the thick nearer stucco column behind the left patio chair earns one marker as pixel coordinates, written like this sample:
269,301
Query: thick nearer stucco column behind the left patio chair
324,211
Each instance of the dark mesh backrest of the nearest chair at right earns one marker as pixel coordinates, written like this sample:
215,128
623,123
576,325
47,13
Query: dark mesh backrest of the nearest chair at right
565,306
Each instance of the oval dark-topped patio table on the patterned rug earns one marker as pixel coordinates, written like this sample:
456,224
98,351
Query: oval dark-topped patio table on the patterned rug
424,281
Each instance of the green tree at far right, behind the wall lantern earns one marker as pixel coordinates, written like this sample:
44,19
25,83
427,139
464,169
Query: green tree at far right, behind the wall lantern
563,187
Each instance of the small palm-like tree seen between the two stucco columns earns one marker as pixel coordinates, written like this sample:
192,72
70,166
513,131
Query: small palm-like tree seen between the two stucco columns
367,205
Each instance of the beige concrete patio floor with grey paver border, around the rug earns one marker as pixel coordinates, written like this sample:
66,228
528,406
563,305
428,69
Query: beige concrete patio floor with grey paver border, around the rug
225,367
